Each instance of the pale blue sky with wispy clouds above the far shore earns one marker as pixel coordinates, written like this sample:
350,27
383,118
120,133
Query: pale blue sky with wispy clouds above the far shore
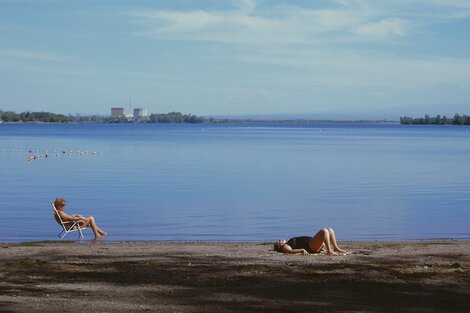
321,59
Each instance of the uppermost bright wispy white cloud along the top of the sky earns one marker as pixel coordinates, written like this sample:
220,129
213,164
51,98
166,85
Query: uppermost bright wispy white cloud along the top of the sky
281,24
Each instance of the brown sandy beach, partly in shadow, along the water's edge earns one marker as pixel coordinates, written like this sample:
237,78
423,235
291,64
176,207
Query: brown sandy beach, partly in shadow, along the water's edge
417,276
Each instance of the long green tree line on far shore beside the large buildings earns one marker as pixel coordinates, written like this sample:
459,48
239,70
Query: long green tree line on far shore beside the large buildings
47,117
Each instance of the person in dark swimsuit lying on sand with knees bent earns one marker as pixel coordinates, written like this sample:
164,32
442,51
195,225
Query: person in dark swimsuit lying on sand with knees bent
305,245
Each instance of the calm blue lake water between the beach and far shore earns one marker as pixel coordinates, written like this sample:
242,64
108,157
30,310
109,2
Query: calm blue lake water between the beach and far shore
237,182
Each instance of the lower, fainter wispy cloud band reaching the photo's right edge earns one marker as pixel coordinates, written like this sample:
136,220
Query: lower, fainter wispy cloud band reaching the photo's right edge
358,69
